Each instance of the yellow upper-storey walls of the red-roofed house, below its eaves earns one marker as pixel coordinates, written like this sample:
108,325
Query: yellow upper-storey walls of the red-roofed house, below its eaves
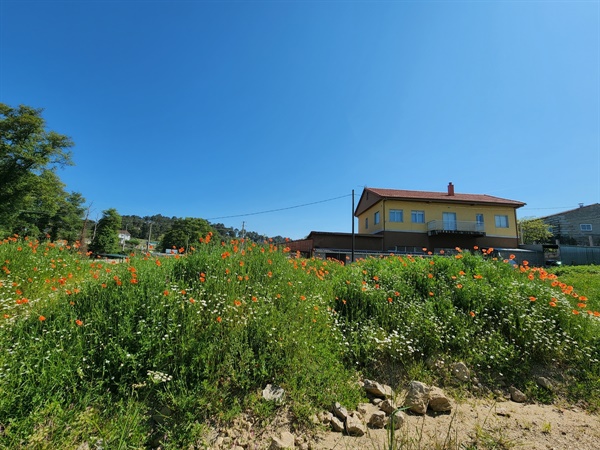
378,218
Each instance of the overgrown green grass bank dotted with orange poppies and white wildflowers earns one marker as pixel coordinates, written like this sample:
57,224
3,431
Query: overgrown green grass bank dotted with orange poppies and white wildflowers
150,351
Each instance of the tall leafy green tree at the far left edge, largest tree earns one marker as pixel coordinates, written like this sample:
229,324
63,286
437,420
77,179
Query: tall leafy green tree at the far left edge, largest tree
29,156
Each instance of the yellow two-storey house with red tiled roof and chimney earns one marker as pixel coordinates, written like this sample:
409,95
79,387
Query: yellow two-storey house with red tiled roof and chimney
411,220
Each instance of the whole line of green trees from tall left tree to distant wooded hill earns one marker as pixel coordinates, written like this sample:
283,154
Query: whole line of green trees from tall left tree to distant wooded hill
35,202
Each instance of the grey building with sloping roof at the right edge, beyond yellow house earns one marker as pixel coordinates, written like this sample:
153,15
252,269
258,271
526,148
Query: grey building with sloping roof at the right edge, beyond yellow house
579,226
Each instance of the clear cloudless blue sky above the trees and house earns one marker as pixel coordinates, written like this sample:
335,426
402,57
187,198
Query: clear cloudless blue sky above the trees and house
225,108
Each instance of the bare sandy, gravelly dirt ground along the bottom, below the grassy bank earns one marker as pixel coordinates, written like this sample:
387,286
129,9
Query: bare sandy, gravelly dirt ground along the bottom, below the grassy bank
472,424
